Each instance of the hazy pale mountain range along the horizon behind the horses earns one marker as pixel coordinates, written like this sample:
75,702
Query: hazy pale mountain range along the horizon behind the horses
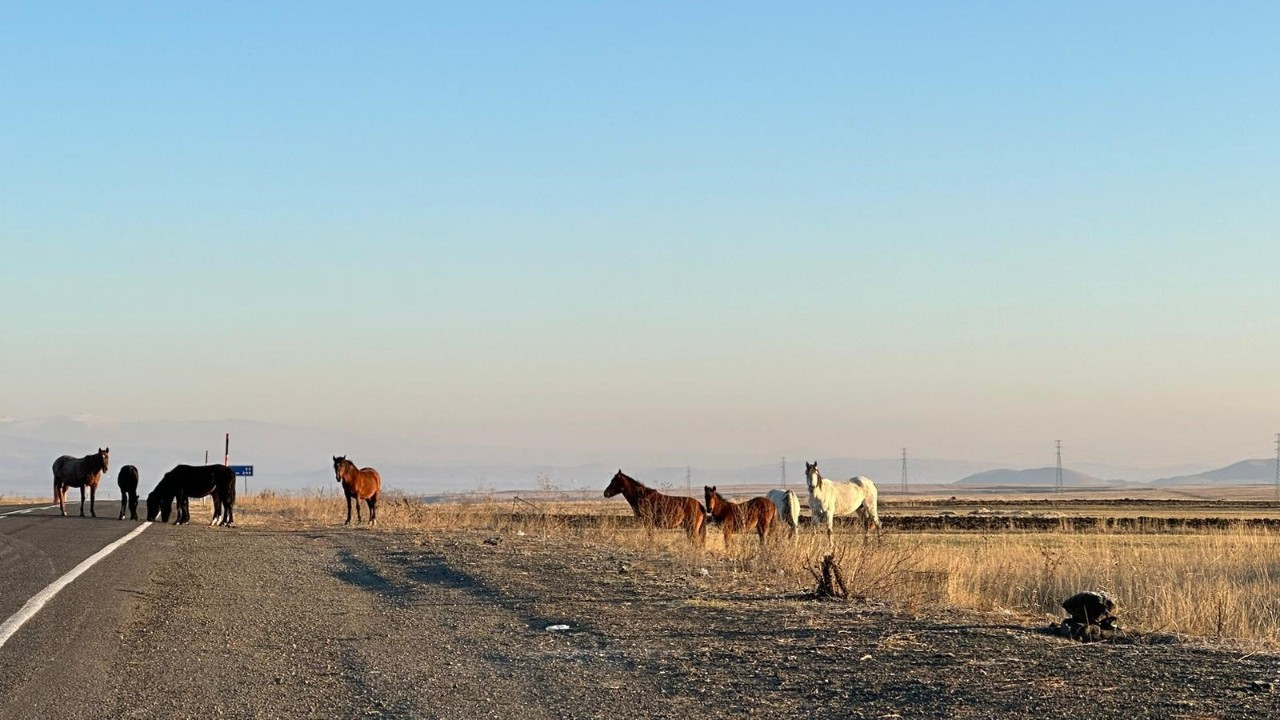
290,458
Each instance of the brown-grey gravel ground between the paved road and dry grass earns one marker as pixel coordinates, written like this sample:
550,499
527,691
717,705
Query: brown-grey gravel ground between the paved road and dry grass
350,623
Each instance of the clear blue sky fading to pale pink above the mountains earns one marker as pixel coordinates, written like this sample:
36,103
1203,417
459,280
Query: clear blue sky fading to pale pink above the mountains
728,227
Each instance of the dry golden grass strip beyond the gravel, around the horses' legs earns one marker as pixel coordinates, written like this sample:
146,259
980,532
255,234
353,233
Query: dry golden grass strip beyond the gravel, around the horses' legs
1213,584
